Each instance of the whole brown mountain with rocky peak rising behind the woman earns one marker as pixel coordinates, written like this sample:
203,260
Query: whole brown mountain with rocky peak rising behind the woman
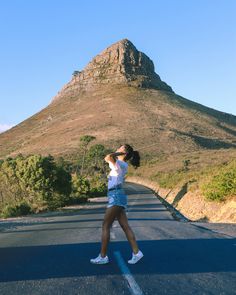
119,98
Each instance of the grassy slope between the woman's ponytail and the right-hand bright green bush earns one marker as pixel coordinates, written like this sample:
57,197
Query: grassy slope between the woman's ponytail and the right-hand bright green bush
170,172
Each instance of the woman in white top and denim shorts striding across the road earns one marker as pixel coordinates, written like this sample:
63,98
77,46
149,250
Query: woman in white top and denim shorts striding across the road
117,202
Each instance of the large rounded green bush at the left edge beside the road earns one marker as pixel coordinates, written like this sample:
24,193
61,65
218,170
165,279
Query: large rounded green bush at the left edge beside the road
35,179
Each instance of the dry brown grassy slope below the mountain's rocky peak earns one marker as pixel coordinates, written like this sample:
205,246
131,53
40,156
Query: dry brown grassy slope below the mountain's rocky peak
158,123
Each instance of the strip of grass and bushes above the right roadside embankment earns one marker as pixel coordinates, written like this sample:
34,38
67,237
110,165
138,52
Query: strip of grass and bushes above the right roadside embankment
212,173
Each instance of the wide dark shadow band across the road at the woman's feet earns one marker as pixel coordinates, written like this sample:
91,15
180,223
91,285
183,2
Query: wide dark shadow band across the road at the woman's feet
161,257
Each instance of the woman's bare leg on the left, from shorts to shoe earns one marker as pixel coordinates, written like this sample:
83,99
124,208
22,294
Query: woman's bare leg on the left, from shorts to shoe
110,215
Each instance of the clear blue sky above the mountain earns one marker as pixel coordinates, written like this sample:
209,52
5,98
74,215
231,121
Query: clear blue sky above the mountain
191,42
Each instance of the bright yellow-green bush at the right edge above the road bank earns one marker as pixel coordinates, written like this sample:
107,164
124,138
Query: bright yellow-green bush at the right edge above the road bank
222,184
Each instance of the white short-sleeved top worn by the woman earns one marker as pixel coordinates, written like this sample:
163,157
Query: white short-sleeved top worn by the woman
117,173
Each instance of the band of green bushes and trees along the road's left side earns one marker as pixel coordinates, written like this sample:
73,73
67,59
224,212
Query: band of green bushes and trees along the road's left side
36,183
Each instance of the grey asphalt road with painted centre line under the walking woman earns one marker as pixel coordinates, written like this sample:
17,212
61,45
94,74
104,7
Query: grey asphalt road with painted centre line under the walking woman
50,254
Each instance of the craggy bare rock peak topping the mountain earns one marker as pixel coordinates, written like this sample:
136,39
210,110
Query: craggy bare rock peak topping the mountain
121,63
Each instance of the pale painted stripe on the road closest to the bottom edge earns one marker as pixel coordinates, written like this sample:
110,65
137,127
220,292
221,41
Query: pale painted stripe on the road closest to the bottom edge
134,287
